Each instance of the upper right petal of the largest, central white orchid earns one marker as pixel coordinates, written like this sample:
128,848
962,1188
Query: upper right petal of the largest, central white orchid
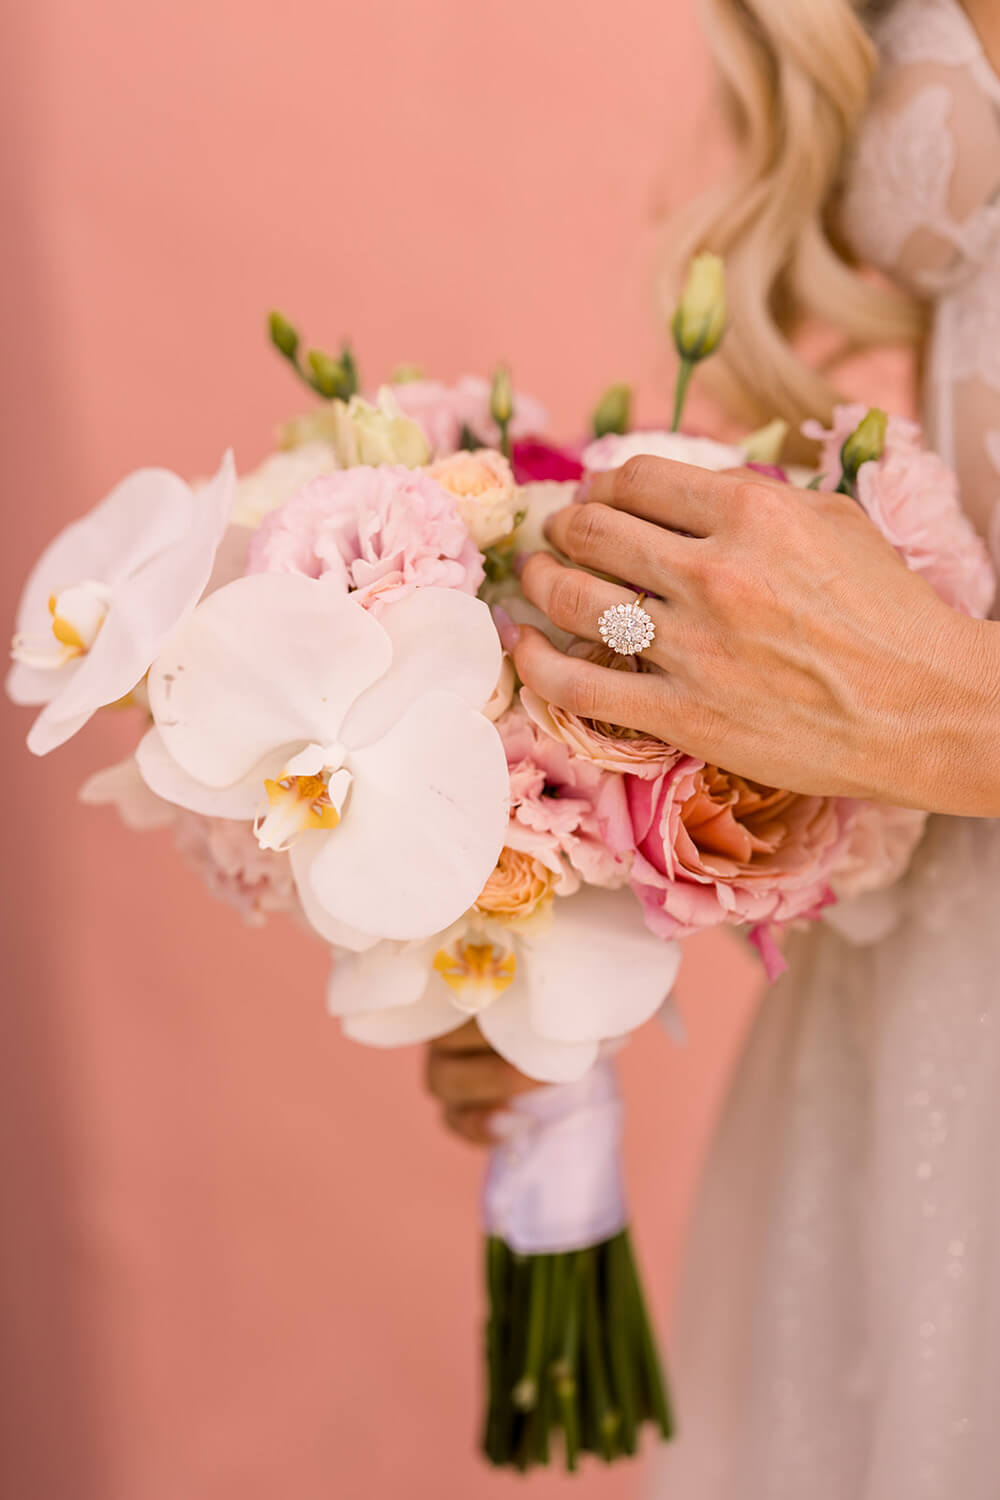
442,640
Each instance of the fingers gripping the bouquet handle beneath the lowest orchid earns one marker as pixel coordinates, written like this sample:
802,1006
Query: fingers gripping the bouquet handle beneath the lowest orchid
473,1084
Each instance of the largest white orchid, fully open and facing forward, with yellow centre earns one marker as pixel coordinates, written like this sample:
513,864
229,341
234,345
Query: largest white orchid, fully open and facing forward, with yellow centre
356,743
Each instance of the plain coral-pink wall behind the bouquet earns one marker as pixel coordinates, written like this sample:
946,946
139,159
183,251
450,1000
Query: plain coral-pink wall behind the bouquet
239,1258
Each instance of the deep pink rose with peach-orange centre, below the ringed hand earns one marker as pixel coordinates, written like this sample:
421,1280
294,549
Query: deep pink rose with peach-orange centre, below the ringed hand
714,848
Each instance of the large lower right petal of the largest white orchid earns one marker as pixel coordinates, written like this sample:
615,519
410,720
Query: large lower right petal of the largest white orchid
425,824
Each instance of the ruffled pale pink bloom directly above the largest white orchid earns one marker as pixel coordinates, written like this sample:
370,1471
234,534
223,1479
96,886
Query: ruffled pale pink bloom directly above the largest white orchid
379,532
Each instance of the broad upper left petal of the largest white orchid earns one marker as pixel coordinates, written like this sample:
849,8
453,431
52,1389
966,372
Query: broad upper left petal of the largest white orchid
301,656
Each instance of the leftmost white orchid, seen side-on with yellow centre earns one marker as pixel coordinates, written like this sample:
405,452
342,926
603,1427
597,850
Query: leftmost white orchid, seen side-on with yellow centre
107,593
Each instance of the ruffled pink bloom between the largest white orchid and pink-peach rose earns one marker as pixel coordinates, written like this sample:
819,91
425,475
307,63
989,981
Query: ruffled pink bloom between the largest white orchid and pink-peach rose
566,812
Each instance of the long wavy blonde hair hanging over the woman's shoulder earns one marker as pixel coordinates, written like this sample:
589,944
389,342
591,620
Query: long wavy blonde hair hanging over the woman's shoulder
797,79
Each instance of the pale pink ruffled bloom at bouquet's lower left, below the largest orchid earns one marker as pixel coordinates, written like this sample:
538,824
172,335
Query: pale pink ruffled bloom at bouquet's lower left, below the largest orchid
232,863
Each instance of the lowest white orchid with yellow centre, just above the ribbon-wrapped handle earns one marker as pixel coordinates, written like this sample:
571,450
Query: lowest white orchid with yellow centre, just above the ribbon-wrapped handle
545,994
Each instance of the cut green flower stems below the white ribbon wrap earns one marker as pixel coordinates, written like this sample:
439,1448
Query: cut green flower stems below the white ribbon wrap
570,1352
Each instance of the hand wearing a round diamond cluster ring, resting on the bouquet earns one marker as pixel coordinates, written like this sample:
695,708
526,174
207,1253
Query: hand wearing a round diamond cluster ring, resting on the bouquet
795,647
